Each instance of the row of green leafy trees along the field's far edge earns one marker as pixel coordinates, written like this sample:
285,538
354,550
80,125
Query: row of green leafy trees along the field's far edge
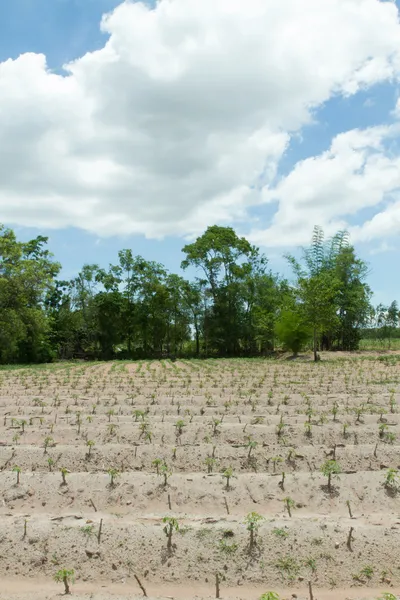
234,305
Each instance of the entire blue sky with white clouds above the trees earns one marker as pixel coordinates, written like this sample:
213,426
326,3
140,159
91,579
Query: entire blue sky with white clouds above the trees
137,125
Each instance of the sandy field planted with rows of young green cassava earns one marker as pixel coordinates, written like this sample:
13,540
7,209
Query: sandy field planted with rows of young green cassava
171,475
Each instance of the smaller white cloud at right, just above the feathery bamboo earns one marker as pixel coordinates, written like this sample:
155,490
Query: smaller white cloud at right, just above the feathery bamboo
359,171
